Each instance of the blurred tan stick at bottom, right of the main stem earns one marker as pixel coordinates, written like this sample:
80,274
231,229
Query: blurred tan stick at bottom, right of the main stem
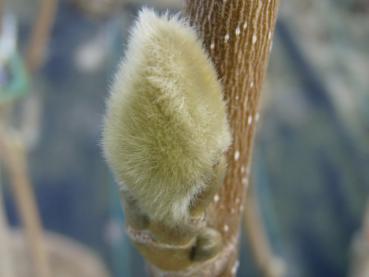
270,265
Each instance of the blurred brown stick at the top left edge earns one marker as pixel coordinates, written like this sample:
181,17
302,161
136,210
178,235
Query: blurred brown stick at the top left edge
40,34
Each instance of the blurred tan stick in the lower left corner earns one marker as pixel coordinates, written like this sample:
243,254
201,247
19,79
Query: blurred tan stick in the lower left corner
14,157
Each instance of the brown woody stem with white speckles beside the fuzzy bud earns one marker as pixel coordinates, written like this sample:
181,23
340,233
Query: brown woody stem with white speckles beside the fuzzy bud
237,35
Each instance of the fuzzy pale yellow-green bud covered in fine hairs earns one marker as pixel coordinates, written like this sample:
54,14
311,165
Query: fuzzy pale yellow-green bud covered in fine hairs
166,126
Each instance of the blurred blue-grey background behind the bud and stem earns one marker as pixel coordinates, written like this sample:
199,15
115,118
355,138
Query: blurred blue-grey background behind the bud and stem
311,162
